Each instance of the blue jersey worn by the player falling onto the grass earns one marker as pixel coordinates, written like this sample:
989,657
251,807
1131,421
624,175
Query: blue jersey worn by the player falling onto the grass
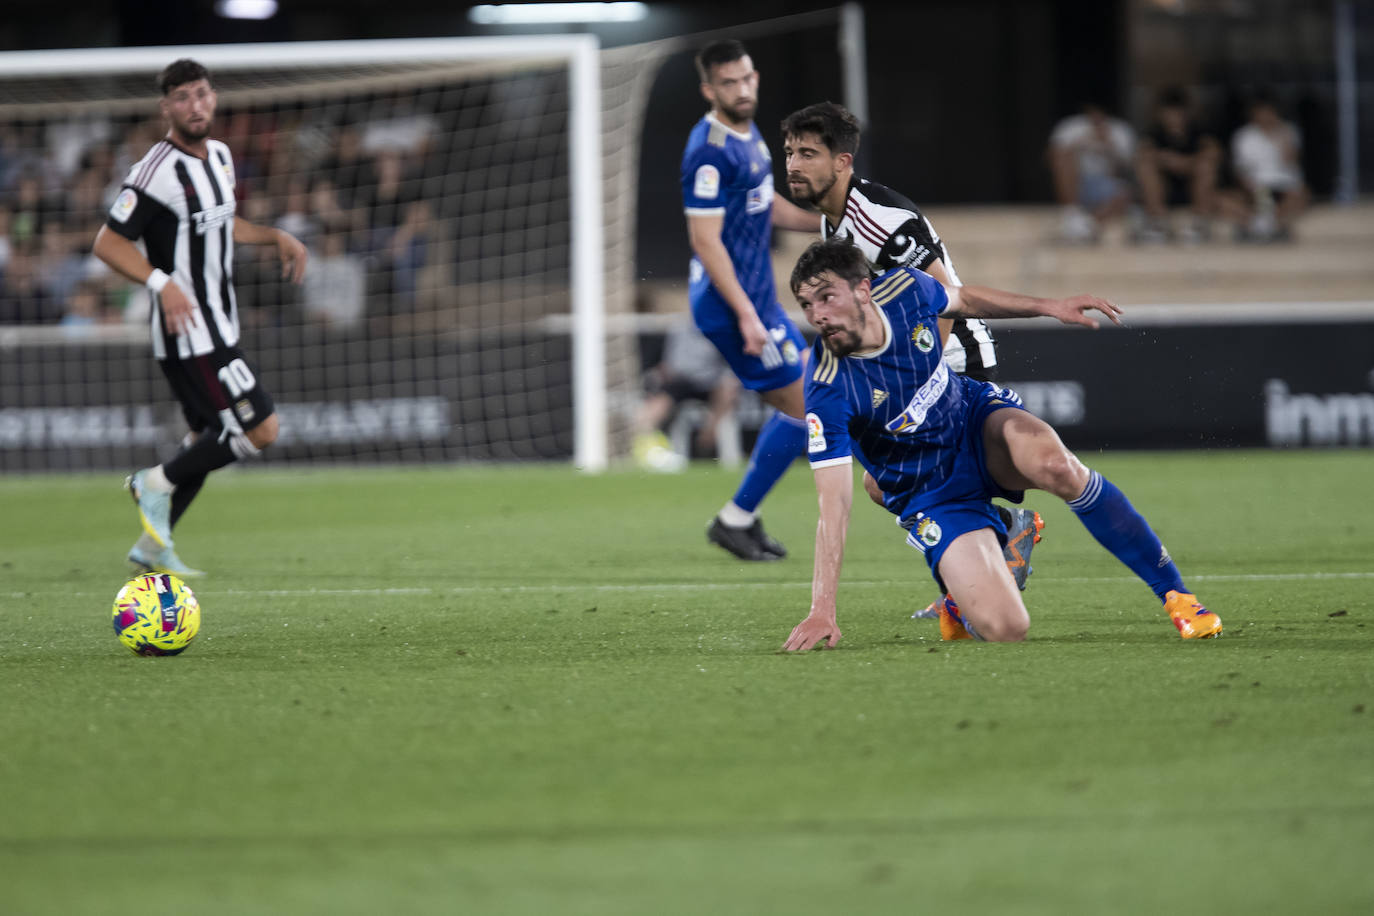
899,410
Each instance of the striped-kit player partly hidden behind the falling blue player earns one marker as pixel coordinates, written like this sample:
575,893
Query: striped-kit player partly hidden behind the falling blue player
821,144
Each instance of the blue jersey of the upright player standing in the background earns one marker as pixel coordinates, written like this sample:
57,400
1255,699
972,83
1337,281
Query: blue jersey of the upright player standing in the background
730,174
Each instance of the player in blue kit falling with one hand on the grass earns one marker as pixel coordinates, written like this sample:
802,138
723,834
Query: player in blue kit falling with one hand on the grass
942,446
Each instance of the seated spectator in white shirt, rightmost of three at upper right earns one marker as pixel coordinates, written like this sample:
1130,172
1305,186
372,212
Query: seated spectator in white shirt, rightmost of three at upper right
1265,154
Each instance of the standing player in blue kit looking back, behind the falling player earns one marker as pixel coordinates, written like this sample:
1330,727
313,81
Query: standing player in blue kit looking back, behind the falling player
729,198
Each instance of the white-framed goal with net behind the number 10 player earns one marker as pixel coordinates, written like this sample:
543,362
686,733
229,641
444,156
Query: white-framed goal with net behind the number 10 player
450,193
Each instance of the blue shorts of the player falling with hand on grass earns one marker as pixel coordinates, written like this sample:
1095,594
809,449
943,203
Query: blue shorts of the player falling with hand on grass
936,525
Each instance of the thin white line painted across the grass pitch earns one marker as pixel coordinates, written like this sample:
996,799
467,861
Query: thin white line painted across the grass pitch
688,587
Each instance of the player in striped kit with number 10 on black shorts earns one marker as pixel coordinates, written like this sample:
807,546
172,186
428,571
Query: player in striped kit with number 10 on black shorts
179,201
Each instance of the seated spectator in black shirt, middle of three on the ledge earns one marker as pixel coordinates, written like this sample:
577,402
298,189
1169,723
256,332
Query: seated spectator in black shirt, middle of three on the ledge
1177,167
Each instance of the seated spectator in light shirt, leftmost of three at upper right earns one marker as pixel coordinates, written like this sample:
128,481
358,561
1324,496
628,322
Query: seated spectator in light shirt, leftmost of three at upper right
1090,160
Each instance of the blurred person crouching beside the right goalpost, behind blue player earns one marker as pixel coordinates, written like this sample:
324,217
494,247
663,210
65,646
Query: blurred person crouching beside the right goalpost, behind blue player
692,370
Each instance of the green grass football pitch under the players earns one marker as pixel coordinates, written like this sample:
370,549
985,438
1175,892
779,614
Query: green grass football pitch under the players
521,690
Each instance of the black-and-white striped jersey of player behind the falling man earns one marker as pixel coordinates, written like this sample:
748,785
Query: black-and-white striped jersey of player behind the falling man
892,233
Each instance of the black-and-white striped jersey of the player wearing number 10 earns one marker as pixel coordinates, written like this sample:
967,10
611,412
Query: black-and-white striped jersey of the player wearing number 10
182,208
